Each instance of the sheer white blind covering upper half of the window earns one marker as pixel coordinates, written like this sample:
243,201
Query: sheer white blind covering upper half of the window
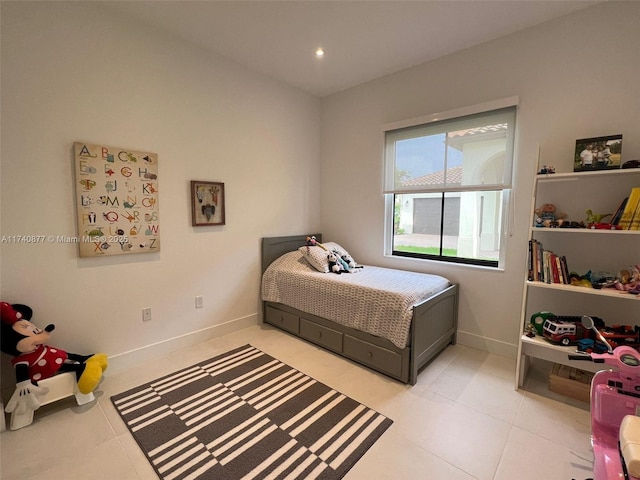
472,152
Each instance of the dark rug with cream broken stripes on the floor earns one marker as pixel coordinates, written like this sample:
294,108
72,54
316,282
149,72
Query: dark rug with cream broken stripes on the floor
246,415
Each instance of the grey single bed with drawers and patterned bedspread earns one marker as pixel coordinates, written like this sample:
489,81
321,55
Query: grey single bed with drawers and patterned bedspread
350,314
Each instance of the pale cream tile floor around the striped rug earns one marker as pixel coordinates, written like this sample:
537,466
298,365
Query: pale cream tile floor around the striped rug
462,421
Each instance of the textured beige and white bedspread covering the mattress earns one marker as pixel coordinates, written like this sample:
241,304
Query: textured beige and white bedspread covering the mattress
376,300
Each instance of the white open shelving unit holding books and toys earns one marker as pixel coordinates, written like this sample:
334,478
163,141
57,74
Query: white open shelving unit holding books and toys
585,250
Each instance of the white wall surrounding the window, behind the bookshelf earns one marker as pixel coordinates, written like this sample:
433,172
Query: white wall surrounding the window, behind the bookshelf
576,77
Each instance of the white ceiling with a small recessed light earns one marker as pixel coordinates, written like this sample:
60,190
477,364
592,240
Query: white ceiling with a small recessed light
363,40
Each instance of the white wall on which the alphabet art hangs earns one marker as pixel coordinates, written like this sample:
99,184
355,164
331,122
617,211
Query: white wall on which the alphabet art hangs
73,72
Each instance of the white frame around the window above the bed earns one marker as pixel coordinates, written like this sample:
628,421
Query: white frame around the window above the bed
506,186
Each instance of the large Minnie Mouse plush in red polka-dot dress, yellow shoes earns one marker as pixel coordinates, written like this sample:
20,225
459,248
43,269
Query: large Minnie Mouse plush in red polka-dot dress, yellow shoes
34,360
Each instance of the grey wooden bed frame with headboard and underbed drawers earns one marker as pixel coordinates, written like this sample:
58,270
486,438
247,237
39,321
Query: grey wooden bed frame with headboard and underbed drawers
433,326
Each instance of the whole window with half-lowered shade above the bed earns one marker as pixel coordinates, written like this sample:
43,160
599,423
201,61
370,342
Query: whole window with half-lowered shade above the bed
447,185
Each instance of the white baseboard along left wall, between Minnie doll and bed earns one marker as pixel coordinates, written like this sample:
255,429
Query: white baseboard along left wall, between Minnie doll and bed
121,361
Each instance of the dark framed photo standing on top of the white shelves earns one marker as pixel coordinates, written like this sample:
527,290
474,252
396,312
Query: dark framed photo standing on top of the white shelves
599,153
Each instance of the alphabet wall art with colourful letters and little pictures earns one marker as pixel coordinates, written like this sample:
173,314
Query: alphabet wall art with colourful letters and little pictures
117,200
